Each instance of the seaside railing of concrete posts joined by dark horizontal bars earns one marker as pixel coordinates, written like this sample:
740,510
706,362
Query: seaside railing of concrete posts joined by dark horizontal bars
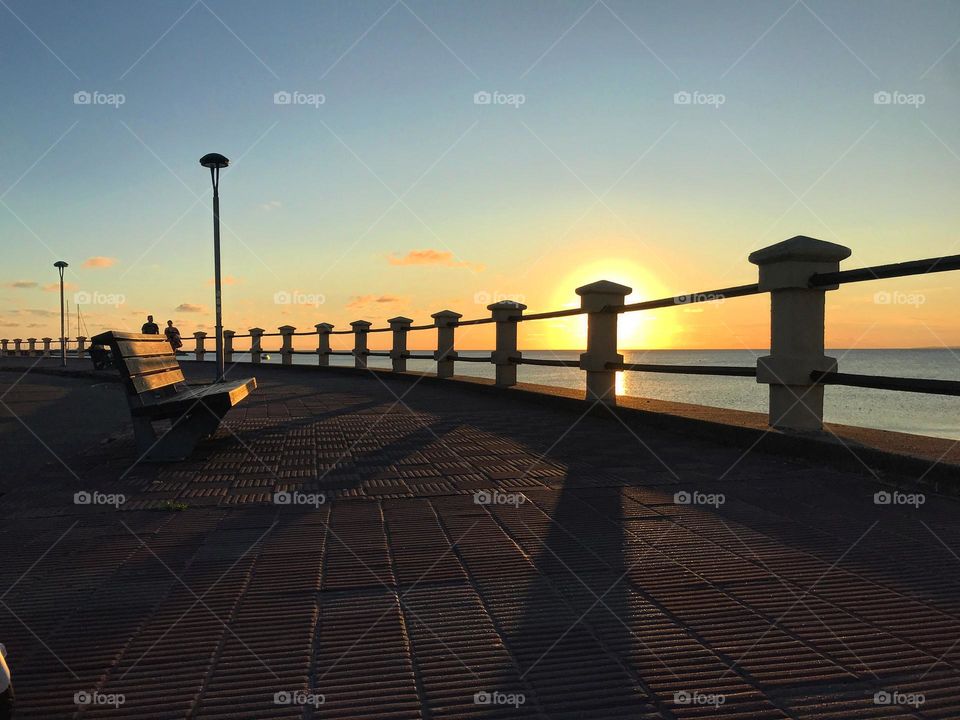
796,273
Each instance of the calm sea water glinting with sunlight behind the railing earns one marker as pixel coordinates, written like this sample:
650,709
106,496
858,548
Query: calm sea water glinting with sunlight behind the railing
887,410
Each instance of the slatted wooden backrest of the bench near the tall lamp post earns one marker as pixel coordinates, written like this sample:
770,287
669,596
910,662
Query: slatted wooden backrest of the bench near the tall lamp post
146,363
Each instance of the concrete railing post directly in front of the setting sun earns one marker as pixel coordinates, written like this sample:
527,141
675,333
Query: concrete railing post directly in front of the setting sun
601,338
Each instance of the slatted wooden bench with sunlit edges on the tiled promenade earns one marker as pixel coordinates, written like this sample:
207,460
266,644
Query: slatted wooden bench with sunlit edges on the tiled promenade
156,391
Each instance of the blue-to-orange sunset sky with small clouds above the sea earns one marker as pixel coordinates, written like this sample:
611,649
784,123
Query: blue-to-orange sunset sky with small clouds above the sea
404,157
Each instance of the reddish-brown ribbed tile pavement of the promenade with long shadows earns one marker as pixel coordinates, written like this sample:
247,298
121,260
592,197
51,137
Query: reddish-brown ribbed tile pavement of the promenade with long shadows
585,591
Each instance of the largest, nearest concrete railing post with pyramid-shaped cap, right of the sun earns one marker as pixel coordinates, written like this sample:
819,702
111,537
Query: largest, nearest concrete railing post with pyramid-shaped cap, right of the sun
796,328
